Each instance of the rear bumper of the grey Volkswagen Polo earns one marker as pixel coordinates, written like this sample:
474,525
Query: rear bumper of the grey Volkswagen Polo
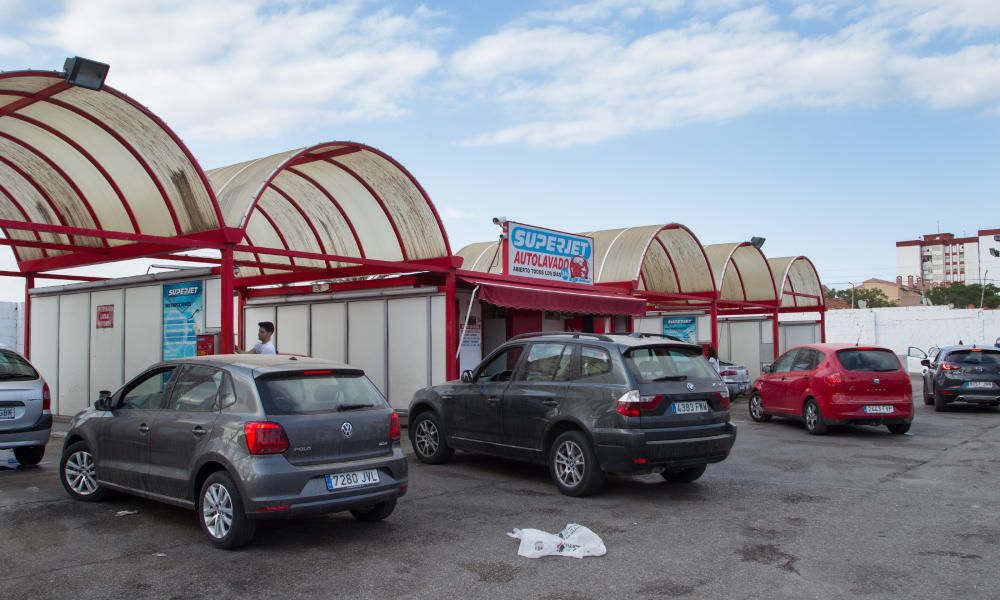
275,488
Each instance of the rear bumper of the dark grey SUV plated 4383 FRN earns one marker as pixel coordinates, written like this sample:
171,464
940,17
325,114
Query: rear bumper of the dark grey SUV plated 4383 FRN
639,451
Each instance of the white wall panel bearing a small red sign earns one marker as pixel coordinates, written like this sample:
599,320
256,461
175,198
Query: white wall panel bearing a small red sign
107,345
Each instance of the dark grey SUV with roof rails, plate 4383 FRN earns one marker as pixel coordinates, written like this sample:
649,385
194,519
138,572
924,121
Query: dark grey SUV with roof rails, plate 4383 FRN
585,405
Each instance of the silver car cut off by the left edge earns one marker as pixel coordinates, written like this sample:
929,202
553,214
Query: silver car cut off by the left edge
25,416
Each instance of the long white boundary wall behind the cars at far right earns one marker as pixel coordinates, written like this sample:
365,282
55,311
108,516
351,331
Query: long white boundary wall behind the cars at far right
918,326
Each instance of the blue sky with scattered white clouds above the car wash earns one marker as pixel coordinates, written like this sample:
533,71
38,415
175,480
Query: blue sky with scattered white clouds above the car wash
833,128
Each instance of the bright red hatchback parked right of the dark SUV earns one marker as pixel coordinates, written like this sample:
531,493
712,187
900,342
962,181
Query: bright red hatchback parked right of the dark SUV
835,384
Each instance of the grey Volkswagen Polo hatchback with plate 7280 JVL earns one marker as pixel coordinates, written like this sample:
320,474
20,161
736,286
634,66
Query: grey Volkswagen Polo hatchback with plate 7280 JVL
241,438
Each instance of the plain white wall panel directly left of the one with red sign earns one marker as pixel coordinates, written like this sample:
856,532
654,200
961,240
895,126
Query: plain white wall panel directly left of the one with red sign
74,353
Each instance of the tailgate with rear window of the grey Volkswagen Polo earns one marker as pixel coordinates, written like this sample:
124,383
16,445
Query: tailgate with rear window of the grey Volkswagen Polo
329,415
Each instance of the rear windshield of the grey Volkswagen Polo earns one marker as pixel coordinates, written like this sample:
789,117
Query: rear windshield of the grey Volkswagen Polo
318,392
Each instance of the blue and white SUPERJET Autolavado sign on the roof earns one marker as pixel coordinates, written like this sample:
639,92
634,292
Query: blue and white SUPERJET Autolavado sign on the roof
547,254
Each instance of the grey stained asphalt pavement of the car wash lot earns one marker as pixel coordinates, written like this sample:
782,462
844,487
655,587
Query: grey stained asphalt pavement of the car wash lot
856,513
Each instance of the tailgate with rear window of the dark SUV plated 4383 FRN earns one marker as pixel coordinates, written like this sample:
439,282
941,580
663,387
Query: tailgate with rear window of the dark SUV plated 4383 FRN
677,387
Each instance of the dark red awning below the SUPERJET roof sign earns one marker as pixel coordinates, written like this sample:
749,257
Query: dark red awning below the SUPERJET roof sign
514,295
